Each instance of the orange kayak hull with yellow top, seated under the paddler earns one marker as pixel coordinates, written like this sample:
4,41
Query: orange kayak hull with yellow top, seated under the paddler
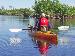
46,36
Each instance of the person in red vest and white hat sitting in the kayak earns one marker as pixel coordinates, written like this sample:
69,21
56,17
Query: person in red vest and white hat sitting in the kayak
42,23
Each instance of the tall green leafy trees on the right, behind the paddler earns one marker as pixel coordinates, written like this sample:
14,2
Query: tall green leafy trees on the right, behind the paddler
53,7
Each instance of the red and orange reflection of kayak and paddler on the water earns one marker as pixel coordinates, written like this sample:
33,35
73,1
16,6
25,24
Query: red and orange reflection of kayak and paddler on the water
44,43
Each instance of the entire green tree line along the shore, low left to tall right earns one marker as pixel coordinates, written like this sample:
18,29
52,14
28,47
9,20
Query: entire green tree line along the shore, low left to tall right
53,8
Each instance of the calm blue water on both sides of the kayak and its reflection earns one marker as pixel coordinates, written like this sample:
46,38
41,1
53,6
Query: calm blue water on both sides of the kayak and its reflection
21,44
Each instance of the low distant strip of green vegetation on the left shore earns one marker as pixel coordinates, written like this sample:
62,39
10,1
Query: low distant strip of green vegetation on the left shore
17,12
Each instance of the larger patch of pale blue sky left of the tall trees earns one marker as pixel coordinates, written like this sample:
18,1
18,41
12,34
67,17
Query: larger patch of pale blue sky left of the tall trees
17,3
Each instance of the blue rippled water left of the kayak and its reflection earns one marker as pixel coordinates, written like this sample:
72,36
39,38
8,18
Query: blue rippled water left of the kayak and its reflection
15,44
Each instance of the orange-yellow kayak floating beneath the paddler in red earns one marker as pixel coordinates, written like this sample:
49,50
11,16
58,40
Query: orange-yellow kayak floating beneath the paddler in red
48,36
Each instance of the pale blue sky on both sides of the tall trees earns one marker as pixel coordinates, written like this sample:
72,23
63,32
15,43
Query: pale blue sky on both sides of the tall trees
28,3
